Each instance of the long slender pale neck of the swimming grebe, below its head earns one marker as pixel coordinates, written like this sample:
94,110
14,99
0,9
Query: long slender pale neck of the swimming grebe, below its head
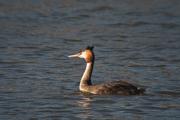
86,78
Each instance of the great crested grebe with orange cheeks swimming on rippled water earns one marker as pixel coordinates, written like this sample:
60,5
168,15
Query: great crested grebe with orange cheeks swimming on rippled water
114,87
